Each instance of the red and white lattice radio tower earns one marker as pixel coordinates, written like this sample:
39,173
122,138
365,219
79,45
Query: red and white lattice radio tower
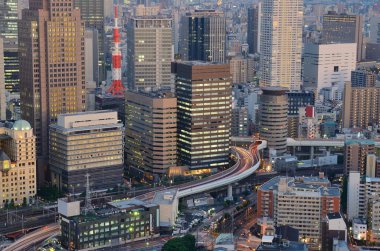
116,88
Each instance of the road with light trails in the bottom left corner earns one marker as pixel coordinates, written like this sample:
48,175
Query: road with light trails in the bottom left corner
34,238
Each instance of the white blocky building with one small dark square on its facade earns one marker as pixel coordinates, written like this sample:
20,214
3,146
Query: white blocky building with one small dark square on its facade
327,65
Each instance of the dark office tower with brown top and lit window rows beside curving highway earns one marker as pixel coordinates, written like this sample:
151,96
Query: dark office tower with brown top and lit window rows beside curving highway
204,94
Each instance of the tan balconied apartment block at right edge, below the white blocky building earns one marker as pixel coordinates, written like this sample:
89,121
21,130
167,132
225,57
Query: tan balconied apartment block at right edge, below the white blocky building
361,106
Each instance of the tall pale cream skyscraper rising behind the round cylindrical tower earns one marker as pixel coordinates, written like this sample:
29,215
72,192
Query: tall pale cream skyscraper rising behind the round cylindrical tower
281,43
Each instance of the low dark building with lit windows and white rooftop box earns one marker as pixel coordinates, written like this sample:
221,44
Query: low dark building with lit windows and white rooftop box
114,224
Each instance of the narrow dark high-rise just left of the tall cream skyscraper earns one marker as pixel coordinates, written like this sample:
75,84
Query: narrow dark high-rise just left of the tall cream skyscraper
253,28
